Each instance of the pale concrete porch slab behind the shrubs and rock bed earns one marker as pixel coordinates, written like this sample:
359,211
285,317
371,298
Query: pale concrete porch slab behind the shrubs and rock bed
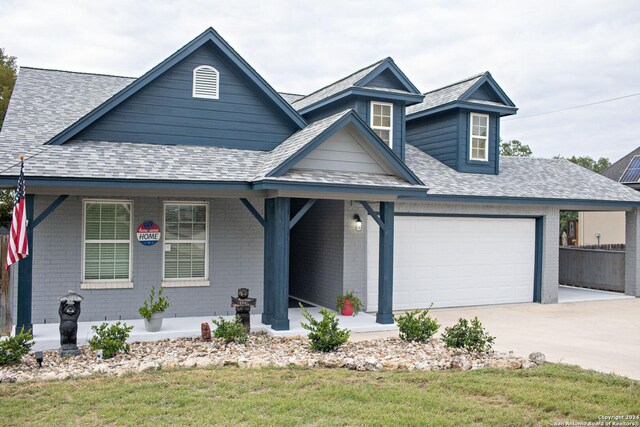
47,336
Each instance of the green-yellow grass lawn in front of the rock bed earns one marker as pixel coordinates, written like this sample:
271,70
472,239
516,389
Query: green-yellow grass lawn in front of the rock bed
227,396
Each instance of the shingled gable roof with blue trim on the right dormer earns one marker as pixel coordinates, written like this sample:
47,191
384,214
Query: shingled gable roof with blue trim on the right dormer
461,91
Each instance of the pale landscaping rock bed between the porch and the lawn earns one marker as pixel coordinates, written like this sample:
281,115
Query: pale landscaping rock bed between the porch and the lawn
260,351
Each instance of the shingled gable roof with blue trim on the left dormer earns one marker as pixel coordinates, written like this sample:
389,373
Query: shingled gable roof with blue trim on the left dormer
357,80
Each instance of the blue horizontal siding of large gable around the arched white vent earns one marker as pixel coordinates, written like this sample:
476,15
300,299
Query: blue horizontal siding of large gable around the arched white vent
165,111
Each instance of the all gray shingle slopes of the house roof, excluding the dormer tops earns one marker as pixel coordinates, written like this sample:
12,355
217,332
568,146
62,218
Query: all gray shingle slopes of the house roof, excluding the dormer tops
45,102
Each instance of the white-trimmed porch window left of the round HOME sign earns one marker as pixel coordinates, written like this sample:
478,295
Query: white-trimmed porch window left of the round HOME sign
107,241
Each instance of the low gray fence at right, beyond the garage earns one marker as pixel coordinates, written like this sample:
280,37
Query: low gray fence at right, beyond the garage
592,268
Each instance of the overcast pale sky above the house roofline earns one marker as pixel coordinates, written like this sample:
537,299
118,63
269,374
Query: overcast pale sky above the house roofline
547,55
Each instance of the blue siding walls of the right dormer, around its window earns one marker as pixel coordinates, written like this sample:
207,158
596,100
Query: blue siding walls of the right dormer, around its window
445,137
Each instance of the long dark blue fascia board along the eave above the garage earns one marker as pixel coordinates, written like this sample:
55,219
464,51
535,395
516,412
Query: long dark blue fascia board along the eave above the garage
527,201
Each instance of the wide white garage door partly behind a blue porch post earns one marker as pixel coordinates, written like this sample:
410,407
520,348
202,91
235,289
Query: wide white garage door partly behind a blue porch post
454,262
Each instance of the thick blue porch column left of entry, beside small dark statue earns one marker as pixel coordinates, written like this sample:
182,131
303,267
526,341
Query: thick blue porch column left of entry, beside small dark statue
276,293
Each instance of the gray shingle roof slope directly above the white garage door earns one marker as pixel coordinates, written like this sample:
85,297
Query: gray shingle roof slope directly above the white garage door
519,177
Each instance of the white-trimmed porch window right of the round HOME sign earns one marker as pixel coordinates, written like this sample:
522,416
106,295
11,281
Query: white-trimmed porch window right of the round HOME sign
186,241
